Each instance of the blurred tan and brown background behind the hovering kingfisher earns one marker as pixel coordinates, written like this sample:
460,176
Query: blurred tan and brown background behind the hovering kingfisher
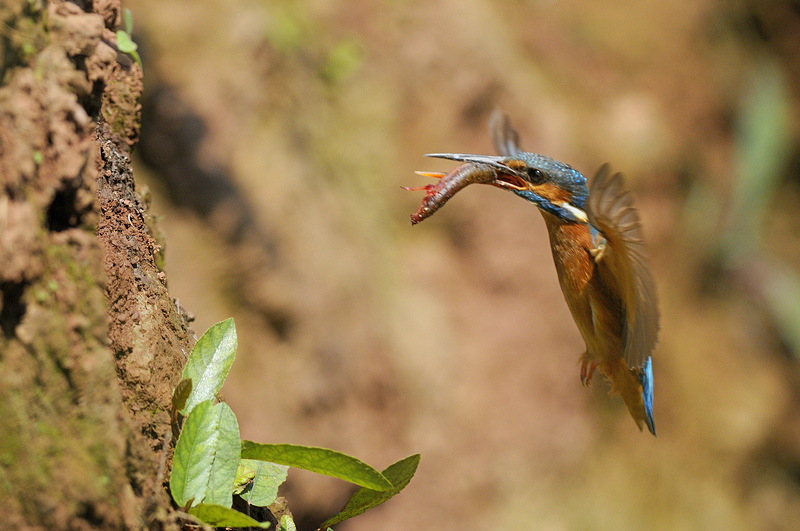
276,135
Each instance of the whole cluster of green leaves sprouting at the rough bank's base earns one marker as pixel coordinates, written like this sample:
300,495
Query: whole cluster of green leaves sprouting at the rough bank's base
212,464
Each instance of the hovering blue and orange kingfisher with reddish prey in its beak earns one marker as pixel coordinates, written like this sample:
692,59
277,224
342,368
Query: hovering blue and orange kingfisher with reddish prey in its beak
598,250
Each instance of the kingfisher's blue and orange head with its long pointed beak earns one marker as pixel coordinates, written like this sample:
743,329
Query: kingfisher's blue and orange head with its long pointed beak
554,187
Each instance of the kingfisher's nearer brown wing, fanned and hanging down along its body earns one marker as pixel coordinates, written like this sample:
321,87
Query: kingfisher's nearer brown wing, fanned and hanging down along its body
610,211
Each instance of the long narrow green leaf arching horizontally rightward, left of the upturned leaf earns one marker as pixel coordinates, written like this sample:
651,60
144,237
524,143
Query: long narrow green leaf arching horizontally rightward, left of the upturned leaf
319,460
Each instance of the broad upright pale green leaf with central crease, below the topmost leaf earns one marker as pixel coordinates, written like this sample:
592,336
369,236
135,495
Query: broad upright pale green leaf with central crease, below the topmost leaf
206,456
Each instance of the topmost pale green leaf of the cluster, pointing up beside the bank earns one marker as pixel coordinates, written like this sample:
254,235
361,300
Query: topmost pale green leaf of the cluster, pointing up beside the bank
209,363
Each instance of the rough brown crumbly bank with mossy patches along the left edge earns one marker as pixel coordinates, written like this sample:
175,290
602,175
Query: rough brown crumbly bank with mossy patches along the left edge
91,343
